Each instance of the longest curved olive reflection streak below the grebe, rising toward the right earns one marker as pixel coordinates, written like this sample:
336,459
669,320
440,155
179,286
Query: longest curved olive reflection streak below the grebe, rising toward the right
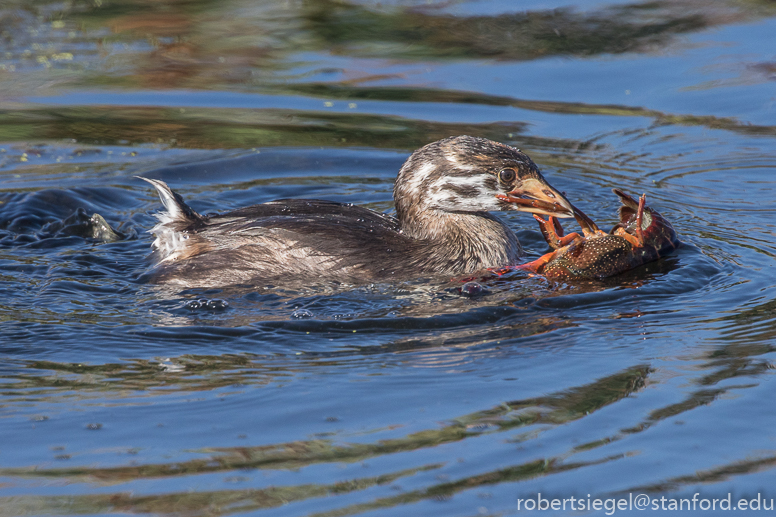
552,410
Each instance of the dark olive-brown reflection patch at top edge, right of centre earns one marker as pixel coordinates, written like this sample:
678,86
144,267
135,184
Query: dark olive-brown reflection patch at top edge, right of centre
522,35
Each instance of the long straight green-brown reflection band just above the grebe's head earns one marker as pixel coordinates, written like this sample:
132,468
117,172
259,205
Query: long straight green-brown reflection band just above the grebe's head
226,128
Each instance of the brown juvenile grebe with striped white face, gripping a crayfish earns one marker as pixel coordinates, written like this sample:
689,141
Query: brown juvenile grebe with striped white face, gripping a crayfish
443,195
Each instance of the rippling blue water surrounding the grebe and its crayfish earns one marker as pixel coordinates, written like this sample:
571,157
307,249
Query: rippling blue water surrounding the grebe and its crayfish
123,397
